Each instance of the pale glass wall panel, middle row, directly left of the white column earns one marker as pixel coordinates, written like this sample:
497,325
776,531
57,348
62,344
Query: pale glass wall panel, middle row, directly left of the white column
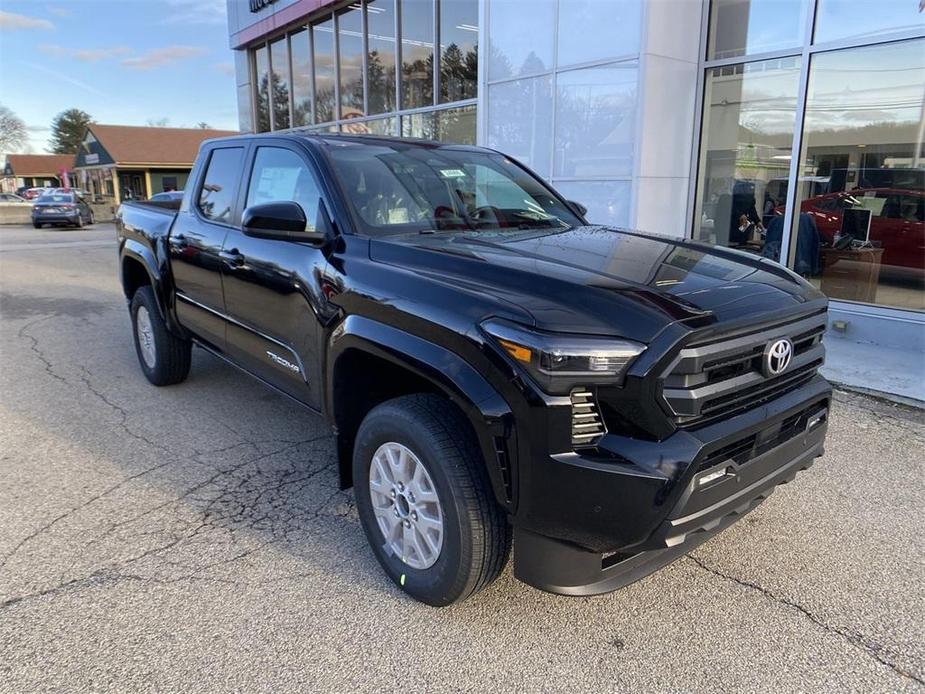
595,121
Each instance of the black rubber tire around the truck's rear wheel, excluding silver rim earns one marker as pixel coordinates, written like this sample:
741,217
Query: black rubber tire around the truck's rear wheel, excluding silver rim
171,354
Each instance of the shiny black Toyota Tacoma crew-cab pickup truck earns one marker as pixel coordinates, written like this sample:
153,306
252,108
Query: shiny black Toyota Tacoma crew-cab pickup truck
495,369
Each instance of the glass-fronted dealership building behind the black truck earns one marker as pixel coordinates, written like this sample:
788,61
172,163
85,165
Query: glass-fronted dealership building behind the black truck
790,129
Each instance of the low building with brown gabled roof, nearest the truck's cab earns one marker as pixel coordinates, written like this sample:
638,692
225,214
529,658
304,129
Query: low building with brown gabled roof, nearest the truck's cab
116,162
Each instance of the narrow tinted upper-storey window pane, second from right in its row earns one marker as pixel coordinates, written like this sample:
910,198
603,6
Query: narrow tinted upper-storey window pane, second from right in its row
417,53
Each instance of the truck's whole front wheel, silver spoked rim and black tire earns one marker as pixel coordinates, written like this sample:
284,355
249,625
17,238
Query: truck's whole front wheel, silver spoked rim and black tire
425,501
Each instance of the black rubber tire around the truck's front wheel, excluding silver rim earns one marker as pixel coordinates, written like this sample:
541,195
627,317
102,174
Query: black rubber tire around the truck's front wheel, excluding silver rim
476,534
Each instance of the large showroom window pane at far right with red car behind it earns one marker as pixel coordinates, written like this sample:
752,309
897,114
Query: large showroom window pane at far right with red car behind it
862,175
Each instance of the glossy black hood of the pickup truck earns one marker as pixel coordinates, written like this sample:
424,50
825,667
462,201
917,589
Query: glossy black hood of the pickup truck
601,280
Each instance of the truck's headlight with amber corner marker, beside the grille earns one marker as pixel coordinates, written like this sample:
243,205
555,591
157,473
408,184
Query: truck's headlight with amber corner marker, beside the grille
557,361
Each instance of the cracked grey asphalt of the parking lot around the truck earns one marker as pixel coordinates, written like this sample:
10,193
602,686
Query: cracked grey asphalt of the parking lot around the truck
193,538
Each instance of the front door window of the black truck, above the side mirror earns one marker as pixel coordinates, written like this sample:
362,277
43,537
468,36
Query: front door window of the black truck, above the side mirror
282,175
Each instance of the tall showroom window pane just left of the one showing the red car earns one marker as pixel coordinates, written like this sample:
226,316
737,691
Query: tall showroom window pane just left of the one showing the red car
748,120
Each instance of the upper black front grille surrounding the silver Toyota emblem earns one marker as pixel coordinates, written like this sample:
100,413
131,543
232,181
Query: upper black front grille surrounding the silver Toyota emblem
721,377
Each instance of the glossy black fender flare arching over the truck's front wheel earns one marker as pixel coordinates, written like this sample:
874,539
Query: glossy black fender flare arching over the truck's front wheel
489,414
